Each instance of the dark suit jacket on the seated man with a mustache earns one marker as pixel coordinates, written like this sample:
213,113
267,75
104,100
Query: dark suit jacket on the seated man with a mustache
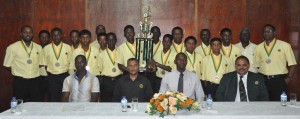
256,89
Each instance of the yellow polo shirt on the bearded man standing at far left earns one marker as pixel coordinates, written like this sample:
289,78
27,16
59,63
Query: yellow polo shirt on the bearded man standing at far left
17,58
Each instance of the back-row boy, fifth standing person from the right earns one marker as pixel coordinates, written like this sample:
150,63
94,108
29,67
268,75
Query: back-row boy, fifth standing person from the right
204,48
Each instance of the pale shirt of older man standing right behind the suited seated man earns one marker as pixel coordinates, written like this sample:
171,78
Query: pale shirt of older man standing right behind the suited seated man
249,53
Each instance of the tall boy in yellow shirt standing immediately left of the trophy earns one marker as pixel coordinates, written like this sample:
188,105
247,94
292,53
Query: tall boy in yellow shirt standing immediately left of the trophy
127,49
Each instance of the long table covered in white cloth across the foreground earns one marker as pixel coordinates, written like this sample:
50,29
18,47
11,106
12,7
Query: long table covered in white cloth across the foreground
221,110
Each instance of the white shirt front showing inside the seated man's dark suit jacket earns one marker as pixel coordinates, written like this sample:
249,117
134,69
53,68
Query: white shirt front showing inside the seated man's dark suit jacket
244,79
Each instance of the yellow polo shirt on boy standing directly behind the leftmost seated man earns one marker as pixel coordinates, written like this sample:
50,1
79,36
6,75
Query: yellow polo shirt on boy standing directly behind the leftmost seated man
92,56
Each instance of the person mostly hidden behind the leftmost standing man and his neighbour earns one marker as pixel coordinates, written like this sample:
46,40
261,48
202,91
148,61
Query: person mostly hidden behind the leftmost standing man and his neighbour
44,37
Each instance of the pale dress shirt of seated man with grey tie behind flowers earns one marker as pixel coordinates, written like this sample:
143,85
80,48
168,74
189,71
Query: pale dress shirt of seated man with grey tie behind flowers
191,84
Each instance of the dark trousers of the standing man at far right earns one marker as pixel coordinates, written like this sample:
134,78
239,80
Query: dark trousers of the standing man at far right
275,85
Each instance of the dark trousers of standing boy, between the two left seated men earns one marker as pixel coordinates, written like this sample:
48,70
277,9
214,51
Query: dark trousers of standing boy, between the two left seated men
107,86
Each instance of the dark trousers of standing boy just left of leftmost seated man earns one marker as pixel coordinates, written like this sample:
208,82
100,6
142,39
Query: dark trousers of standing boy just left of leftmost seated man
55,85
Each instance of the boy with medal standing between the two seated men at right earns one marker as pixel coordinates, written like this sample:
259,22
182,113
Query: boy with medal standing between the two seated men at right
214,66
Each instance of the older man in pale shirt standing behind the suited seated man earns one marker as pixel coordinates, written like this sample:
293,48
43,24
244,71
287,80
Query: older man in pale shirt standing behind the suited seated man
247,48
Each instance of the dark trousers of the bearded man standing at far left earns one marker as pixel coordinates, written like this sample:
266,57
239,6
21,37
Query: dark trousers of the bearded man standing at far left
27,89
